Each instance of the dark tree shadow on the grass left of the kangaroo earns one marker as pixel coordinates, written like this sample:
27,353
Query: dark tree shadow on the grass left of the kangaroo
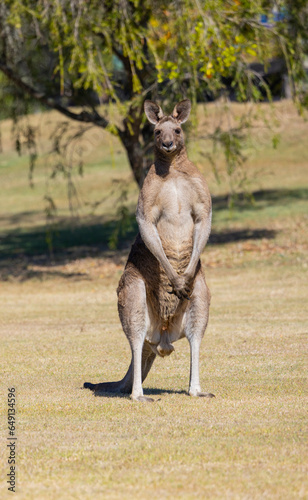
22,248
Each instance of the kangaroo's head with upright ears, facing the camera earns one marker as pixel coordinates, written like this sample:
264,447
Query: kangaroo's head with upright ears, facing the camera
168,134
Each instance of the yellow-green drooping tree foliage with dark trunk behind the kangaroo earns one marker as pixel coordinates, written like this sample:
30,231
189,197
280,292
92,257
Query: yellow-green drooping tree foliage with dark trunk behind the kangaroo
69,53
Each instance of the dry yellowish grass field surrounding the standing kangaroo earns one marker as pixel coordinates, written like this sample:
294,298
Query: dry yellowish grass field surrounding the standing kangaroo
59,327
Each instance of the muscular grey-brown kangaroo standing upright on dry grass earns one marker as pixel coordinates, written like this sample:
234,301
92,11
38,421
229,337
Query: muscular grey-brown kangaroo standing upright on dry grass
162,294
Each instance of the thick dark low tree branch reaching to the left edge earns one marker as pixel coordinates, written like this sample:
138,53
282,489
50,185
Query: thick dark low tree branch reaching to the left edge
85,116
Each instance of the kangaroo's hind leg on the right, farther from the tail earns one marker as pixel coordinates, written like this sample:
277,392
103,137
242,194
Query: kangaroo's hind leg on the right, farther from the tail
196,322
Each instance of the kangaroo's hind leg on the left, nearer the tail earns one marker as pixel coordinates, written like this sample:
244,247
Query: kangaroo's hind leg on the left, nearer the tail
132,306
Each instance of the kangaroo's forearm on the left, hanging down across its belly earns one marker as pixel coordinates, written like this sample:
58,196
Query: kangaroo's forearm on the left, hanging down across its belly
152,240
